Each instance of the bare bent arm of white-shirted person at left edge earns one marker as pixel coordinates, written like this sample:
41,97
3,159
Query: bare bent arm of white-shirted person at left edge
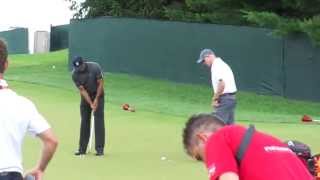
49,147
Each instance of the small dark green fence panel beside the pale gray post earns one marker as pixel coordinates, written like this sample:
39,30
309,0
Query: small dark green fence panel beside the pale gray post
59,37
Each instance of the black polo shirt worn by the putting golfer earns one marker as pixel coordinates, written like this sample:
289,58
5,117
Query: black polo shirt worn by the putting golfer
89,77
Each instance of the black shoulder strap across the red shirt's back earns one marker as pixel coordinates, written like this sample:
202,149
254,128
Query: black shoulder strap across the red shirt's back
244,143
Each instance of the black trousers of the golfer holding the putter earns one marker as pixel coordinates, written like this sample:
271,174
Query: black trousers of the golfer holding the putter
85,111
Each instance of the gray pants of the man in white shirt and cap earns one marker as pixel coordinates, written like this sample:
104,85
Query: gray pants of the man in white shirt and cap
226,108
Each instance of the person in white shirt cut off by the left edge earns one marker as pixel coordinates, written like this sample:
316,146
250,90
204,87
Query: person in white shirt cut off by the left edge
19,116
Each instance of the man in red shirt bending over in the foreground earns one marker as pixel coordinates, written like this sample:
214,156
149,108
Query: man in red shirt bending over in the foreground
206,138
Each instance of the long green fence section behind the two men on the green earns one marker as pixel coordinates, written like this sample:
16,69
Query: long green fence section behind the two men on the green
168,50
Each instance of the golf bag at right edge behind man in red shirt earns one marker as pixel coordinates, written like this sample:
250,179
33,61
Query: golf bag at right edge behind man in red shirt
304,153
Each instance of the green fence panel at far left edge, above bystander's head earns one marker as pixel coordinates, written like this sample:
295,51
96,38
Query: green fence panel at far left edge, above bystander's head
17,40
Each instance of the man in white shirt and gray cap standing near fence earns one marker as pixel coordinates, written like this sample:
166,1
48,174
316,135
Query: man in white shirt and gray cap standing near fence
223,84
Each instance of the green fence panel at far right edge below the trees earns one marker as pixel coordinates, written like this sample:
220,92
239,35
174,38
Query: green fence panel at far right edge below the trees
302,64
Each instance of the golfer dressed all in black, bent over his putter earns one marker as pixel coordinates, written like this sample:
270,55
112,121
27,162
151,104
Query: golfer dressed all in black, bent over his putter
88,77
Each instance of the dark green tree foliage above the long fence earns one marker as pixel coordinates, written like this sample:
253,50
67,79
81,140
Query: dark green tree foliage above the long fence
285,16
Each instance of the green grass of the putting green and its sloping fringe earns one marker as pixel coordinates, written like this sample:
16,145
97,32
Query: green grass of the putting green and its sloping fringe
136,141
